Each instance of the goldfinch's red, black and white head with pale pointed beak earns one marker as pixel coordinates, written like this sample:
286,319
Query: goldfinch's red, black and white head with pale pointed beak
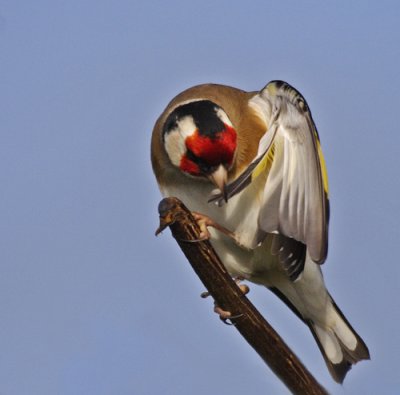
200,140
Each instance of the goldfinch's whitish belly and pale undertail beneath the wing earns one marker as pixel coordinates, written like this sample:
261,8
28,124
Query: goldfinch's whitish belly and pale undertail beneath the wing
308,293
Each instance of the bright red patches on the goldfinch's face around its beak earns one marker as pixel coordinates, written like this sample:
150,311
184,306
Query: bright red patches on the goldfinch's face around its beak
214,151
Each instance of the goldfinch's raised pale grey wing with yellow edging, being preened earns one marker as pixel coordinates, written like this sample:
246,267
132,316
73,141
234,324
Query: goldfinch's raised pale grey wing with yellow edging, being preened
295,200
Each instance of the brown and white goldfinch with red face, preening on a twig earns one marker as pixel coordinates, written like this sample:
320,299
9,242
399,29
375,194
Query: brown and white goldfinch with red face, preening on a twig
250,165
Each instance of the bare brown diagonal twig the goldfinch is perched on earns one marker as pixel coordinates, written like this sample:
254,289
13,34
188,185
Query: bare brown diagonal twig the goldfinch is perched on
246,319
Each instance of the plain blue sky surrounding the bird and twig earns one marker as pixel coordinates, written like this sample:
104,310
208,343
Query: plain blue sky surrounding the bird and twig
91,302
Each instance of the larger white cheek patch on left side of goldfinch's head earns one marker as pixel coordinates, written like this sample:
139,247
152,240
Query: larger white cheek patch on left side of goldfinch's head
174,140
